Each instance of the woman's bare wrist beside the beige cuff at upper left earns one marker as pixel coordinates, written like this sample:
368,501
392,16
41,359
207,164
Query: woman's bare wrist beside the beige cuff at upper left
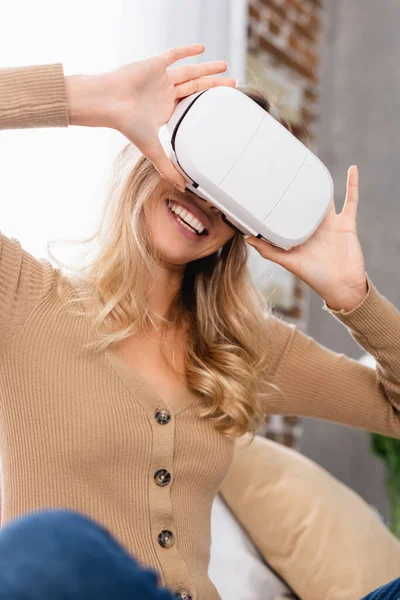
87,100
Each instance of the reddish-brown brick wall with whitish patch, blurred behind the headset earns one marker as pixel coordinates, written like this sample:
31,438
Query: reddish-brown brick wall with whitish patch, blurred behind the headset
284,46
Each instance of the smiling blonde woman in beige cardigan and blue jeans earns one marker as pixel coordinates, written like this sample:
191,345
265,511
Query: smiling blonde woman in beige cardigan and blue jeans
123,388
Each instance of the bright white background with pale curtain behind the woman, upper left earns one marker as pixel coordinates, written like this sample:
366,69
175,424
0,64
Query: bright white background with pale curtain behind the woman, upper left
52,180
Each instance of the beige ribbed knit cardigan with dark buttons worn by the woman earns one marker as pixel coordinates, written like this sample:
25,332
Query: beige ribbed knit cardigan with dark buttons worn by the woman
85,431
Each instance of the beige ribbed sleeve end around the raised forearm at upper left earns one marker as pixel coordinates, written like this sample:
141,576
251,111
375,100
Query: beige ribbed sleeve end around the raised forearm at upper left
33,96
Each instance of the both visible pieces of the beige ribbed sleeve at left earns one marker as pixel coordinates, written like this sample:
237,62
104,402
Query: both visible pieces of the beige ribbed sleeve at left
30,97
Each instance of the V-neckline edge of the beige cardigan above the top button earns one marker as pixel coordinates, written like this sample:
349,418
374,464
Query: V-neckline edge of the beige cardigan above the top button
136,383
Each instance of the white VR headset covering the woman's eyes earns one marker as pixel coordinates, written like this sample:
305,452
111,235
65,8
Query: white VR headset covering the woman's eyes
237,156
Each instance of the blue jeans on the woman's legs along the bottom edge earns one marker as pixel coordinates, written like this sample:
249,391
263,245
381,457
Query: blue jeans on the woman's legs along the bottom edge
62,555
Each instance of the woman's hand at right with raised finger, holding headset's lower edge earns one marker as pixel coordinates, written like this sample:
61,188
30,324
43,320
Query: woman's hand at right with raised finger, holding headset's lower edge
331,261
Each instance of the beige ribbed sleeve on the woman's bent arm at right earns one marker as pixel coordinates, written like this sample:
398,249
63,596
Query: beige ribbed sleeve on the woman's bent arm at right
317,382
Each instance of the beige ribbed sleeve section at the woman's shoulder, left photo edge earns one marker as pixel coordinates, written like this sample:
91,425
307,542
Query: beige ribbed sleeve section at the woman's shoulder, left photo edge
24,282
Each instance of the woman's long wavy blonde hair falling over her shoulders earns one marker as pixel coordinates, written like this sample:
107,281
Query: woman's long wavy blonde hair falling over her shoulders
224,314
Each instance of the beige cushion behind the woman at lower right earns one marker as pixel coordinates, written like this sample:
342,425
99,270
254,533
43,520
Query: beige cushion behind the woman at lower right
322,538
